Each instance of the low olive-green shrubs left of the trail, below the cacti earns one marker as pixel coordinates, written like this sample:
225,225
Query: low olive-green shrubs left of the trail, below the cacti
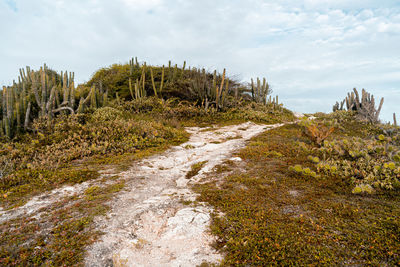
36,160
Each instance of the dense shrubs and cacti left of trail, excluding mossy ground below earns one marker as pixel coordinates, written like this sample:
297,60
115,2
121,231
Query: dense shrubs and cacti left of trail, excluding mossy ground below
48,123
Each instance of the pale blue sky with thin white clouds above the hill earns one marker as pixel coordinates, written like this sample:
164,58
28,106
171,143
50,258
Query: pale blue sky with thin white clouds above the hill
312,52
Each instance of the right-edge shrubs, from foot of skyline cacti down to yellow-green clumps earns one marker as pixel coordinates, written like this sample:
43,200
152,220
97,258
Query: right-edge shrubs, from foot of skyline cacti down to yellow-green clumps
361,159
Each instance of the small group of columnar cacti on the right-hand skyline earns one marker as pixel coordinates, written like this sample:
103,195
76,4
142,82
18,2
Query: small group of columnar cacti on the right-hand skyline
364,106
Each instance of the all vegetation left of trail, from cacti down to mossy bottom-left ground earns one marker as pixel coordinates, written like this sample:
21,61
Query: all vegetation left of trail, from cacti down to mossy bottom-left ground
54,133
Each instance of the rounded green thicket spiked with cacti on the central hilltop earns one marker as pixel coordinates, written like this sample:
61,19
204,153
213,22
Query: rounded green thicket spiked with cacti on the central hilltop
209,90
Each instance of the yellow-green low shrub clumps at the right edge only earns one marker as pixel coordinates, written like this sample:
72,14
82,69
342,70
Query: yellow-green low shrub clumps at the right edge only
375,163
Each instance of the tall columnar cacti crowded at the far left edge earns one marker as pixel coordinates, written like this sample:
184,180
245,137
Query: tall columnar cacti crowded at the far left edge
43,94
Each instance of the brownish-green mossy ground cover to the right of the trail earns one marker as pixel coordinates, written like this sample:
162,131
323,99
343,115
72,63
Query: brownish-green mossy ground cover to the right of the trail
267,214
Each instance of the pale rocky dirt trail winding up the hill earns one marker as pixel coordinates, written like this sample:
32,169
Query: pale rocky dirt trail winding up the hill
148,224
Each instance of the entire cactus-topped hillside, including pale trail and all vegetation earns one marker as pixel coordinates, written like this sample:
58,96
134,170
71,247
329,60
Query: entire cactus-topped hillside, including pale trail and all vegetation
90,172
